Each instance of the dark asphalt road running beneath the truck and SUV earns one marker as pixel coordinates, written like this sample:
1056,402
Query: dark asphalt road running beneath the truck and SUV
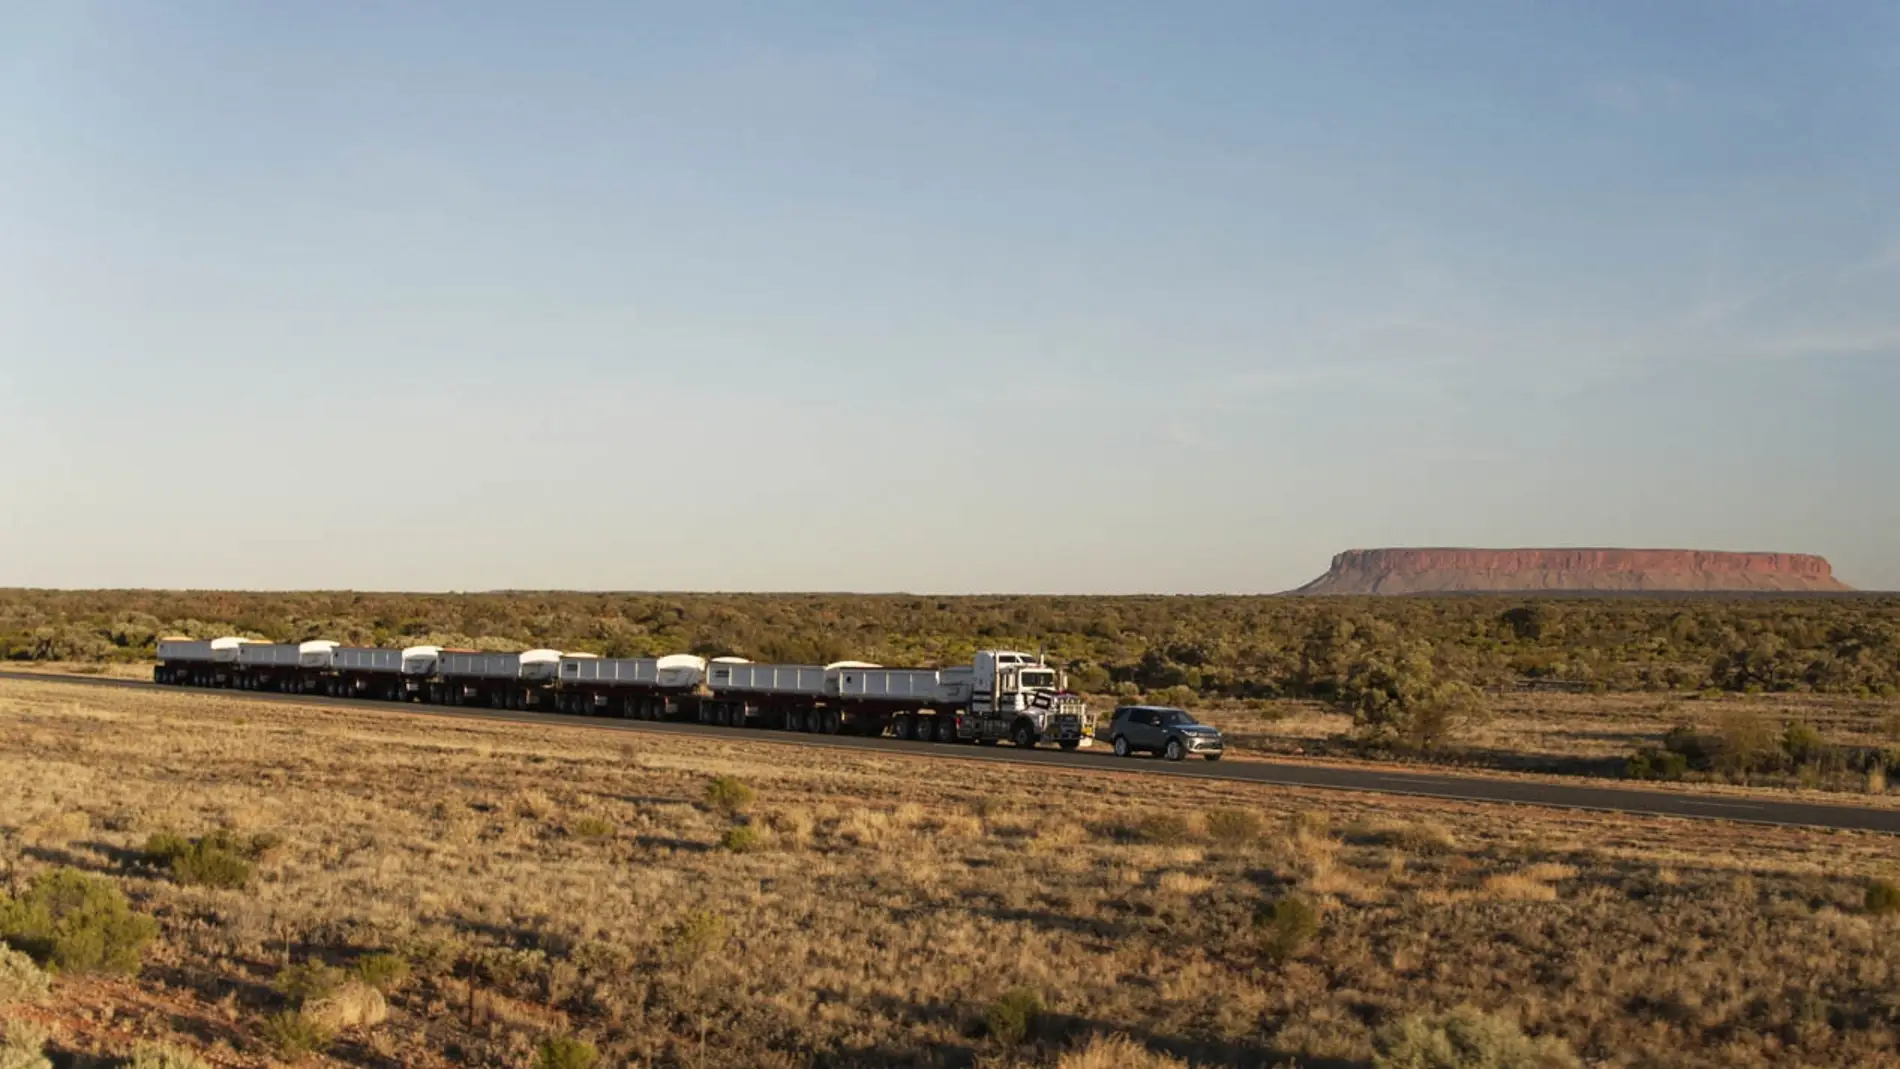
1329,778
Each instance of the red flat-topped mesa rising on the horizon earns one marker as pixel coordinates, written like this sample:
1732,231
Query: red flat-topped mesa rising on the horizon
1572,571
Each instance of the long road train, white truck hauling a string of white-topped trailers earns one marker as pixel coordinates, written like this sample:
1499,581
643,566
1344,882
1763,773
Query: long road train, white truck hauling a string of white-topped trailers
1000,694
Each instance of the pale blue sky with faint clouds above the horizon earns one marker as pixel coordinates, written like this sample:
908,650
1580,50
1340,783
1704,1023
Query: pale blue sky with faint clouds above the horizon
1052,297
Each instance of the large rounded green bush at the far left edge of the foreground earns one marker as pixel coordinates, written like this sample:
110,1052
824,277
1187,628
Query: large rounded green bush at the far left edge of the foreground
73,922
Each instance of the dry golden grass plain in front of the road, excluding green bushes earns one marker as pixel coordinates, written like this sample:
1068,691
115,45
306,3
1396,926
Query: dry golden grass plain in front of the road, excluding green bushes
896,899
